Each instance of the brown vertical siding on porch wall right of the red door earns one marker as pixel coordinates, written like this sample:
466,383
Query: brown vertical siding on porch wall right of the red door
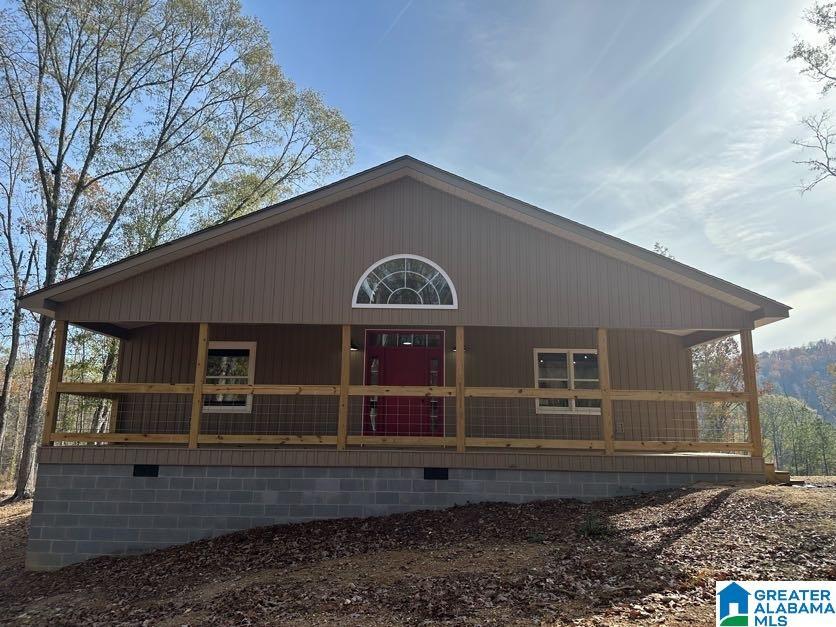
640,360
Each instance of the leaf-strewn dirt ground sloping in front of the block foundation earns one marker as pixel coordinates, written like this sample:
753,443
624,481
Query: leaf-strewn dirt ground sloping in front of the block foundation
645,560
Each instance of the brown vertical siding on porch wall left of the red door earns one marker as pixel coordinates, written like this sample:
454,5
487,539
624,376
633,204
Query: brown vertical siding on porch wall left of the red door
302,355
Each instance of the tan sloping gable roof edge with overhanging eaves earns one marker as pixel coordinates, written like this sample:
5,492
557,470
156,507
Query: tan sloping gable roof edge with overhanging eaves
763,309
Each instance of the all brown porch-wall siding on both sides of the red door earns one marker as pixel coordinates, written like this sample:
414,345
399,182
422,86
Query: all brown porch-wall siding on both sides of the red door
495,357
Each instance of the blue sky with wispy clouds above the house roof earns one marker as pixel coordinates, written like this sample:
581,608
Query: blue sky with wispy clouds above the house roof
653,121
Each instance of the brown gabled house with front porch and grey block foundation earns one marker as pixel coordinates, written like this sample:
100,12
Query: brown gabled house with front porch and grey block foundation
401,339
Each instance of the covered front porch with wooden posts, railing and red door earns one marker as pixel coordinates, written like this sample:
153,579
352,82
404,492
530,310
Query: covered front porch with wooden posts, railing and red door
390,393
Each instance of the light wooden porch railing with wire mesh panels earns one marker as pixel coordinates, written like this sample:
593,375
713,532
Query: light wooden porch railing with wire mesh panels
176,401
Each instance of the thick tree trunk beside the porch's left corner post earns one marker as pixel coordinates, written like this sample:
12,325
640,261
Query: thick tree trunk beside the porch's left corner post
34,411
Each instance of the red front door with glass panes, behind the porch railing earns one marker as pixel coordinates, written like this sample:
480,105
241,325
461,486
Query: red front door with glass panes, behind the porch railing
404,358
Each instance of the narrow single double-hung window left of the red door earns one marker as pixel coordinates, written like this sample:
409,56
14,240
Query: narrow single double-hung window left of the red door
230,363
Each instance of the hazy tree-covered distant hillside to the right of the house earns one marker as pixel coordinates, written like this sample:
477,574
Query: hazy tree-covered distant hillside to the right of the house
802,372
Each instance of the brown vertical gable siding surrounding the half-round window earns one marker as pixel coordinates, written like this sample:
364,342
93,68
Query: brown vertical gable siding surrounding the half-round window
506,274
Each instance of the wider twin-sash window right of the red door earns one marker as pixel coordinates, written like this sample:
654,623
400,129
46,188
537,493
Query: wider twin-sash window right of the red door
566,369
